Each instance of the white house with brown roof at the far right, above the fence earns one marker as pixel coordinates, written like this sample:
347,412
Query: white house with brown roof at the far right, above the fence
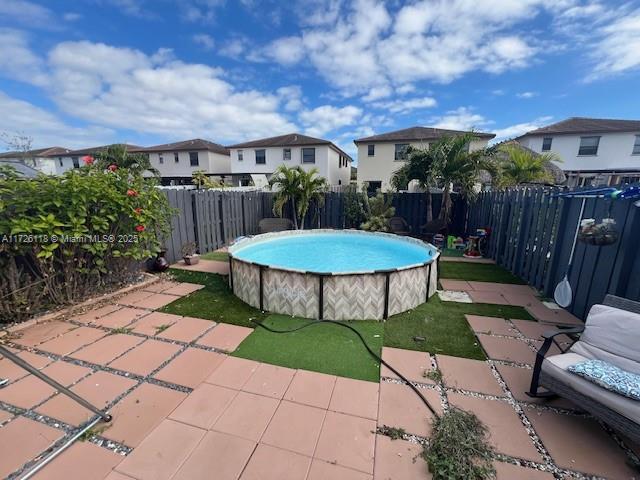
594,151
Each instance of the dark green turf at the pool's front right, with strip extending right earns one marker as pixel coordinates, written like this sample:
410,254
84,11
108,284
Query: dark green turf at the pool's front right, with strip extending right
443,326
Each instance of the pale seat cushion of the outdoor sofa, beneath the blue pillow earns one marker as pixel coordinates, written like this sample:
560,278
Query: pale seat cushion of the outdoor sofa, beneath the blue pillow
557,367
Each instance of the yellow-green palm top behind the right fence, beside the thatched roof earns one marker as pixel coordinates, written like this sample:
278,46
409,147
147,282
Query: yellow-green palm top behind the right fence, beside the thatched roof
522,165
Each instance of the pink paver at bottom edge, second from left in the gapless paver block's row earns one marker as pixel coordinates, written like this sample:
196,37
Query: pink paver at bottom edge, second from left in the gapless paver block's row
218,456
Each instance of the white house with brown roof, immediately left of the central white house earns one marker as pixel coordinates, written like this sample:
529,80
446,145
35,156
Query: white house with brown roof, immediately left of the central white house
177,161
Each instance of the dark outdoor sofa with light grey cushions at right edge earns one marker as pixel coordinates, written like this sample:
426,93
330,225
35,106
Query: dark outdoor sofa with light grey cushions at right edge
611,334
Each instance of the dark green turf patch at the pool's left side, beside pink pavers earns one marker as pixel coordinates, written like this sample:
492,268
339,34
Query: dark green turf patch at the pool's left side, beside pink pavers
214,302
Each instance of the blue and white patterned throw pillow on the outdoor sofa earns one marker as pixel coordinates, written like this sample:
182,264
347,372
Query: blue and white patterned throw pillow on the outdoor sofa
609,376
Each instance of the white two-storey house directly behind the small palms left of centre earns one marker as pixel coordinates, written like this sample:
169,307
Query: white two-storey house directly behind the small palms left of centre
255,161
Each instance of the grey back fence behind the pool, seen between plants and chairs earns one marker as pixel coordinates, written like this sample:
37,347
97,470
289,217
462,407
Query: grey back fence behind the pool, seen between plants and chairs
214,218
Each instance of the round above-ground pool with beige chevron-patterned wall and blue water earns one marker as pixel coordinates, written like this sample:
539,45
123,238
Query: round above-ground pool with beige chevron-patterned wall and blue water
333,274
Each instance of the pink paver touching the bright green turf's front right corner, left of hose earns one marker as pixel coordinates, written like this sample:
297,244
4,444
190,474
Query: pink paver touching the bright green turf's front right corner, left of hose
355,397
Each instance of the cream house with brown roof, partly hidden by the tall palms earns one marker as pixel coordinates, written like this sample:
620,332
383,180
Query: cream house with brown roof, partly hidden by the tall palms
380,156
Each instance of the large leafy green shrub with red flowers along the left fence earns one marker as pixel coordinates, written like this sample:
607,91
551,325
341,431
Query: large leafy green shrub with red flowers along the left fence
70,236
